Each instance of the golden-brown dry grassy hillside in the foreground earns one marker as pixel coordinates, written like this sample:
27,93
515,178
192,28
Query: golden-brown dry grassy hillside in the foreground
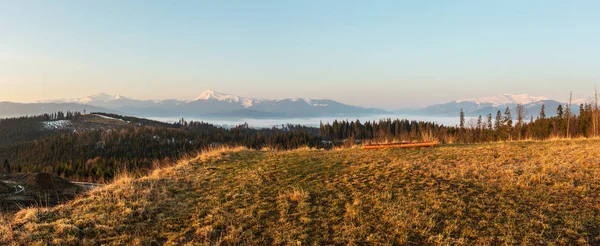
525,193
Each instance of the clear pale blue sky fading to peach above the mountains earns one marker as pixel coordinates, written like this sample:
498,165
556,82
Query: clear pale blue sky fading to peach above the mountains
386,54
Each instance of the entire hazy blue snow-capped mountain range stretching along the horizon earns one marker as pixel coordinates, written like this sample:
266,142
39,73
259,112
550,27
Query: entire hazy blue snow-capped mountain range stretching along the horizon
212,104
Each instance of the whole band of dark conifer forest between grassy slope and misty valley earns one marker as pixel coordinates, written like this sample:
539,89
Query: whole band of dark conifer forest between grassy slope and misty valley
97,150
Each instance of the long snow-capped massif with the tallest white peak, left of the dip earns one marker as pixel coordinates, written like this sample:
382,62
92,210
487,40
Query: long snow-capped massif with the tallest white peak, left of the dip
214,104
